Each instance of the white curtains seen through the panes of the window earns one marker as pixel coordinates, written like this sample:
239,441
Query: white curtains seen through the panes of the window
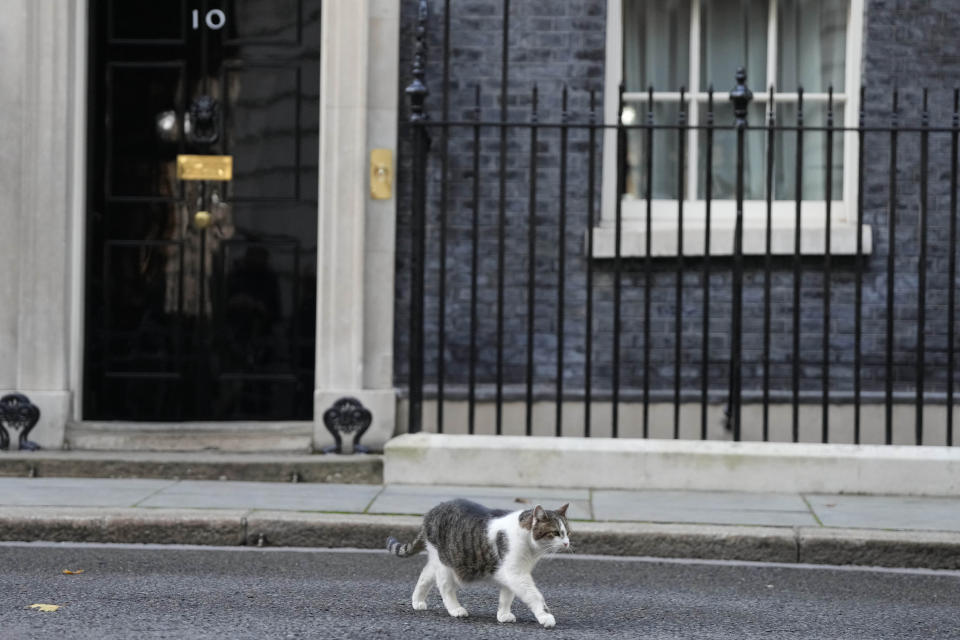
810,52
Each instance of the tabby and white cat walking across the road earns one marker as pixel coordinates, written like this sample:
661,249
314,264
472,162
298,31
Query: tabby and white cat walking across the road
466,541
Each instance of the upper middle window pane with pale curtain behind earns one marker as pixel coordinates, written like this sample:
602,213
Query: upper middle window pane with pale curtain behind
732,35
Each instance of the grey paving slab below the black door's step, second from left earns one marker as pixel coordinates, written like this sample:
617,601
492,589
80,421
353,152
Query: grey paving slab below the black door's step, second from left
211,494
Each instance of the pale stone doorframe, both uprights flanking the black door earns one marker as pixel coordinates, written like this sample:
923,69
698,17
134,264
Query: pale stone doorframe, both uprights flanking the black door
43,96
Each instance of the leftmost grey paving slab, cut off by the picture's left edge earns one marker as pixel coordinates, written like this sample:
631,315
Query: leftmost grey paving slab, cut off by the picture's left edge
68,492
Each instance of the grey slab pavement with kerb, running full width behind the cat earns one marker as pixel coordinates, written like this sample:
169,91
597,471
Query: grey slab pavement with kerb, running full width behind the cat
816,528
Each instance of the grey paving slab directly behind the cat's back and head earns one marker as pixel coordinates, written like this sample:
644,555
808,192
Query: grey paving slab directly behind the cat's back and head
418,499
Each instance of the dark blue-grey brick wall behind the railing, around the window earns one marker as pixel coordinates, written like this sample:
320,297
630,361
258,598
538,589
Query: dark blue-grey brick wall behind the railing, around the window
909,45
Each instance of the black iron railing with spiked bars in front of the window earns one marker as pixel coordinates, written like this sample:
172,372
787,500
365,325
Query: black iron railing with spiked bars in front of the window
492,197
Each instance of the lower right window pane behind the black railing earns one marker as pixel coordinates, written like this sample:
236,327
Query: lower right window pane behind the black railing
814,153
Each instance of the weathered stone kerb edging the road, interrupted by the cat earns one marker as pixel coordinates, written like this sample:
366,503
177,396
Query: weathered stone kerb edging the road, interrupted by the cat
811,545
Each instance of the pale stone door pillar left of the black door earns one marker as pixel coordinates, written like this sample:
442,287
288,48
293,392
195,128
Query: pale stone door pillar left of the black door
42,191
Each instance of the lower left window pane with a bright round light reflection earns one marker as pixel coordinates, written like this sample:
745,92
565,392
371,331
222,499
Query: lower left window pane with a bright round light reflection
665,152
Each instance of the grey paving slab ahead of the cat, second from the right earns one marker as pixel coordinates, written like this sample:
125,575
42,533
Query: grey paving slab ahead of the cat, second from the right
718,507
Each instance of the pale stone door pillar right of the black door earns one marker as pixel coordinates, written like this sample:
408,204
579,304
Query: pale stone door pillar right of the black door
355,251
